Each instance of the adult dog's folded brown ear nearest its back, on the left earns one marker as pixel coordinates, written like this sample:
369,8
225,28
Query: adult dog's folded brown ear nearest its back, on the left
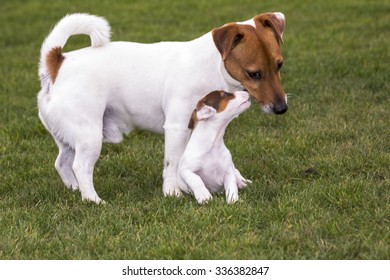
226,38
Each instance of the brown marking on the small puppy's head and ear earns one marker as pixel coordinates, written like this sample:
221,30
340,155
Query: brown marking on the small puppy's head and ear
217,100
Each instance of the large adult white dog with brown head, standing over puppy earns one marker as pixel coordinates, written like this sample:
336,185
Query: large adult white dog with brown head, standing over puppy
97,94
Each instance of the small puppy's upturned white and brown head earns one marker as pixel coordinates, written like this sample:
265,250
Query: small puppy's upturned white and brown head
220,105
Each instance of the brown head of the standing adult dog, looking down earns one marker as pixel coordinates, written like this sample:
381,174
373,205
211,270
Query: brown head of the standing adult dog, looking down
251,54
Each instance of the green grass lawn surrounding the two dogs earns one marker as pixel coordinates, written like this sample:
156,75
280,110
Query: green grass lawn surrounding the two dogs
321,182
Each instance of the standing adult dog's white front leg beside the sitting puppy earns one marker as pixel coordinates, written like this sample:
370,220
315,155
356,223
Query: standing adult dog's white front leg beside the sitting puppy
176,139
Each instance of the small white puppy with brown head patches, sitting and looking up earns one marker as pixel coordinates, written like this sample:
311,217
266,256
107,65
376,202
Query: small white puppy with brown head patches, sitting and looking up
206,166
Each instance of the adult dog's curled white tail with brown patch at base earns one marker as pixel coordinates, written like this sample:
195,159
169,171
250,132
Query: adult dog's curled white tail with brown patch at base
51,59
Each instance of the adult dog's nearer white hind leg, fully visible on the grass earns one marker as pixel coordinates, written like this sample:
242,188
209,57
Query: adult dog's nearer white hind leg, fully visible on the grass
87,151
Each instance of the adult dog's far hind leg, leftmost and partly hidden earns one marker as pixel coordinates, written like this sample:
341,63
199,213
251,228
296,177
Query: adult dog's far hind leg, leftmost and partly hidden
64,164
